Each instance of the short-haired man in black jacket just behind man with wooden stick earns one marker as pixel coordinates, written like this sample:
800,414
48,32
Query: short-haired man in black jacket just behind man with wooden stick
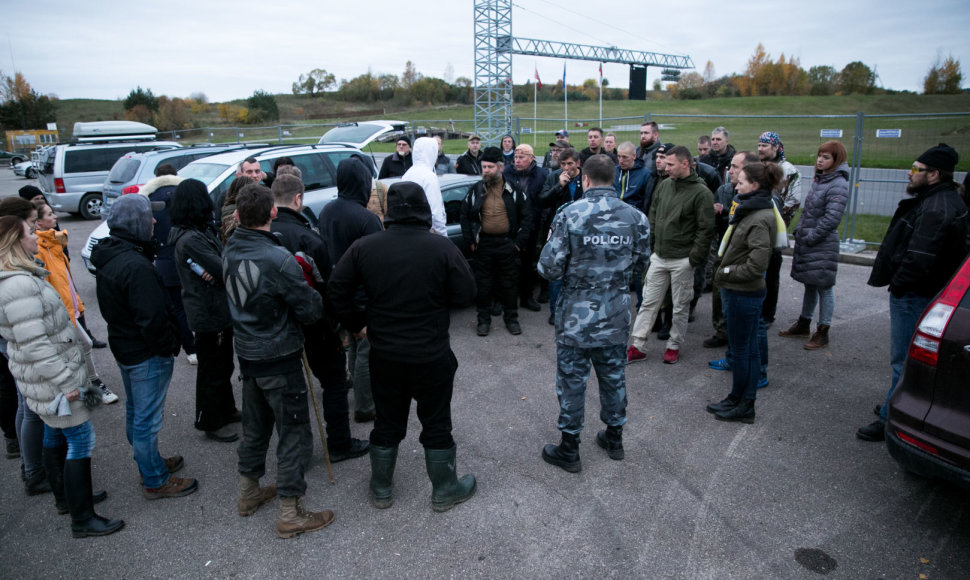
325,352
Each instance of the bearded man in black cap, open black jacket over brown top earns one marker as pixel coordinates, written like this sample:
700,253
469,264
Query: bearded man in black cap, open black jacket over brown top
496,220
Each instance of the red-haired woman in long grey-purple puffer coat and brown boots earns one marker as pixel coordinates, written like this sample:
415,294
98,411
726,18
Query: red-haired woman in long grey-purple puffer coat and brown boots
816,256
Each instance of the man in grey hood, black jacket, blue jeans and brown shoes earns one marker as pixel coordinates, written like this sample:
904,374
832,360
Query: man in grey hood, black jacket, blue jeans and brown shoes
143,336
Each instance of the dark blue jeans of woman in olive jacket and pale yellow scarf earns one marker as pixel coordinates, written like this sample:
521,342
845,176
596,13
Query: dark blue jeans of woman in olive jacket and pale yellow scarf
742,310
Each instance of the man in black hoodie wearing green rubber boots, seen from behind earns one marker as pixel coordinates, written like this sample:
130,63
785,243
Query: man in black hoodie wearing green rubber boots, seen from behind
411,278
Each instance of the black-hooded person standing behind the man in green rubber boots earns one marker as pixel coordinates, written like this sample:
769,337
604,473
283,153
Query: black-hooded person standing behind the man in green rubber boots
342,222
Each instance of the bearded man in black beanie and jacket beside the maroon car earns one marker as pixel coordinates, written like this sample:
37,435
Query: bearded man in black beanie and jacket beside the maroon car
925,244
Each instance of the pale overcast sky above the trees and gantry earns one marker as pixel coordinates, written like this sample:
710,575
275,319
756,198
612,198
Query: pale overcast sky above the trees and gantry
103,49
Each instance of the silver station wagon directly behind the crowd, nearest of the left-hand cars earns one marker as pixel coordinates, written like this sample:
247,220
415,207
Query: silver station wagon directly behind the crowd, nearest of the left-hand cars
318,163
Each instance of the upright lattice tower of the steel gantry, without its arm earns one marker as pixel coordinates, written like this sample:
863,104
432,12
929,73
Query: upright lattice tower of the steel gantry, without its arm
493,70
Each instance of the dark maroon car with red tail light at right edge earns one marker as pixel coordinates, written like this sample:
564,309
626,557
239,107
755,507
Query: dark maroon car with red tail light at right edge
928,432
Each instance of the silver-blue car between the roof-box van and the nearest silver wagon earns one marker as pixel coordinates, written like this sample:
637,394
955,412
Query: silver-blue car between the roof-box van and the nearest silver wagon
134,170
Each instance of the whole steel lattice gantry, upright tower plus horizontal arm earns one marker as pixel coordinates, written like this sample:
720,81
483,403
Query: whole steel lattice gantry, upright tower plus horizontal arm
495,45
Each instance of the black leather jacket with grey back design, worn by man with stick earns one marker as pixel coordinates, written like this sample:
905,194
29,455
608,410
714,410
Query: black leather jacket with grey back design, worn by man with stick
268,297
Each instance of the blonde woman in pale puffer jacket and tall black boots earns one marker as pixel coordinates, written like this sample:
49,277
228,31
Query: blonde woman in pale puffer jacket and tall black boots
48,366
